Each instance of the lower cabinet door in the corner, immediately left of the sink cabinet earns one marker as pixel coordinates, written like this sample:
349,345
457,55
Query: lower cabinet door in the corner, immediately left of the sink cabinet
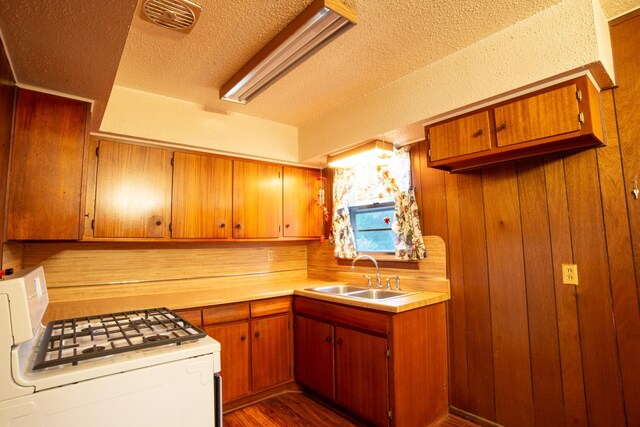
271,351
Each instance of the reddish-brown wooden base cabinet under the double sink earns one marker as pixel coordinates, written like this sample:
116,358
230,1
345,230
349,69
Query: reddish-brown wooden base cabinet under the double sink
387,369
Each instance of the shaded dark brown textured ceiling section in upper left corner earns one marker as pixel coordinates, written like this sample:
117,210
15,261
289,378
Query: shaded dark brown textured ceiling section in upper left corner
70,46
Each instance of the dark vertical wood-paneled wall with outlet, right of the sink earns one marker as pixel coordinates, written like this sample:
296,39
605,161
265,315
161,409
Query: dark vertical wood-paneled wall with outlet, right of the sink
526,349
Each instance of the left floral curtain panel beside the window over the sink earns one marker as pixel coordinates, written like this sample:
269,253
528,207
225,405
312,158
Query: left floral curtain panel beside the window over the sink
343,237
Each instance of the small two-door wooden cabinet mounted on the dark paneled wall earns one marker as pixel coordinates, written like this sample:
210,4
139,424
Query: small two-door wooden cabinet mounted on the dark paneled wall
562,117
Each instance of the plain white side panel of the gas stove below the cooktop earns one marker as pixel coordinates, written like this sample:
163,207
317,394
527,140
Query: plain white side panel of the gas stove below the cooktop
179,393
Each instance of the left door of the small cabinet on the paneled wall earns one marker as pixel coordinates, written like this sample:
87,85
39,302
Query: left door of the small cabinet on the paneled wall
466,135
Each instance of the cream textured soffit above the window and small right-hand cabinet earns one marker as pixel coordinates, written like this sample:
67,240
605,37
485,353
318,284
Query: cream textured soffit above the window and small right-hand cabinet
568,37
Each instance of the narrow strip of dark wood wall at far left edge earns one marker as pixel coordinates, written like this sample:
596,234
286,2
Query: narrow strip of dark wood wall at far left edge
7,106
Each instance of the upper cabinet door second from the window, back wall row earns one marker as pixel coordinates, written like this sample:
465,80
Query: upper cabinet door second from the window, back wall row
257,200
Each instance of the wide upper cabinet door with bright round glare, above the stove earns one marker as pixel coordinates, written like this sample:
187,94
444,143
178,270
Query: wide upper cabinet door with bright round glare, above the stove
133,191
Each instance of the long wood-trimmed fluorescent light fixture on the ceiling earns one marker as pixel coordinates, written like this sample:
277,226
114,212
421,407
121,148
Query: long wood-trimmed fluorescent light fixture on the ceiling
315,27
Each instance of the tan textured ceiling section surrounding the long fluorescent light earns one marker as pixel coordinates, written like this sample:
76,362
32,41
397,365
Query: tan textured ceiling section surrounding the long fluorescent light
393,38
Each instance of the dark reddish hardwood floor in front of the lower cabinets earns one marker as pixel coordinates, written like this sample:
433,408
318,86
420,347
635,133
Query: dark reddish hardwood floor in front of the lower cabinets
298,409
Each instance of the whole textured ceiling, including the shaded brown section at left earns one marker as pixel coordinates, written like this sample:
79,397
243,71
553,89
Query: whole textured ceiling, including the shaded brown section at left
76,47
